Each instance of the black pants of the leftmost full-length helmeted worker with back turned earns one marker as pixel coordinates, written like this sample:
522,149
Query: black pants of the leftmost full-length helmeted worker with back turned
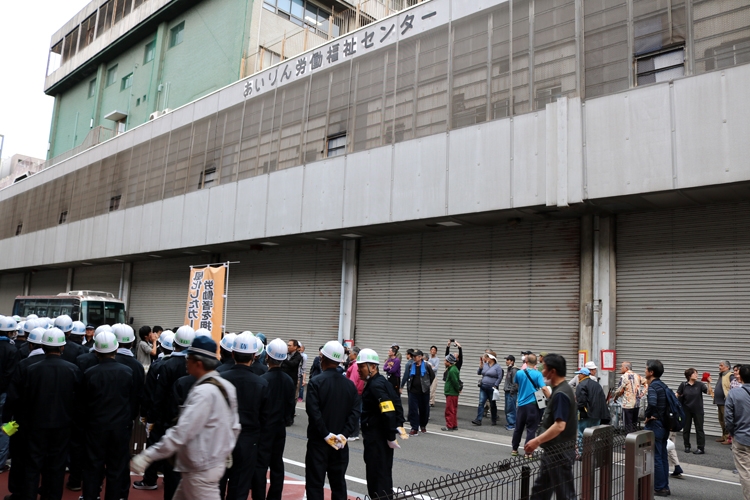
46,457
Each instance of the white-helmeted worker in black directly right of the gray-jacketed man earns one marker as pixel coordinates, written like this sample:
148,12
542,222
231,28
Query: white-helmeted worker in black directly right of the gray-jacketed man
253,407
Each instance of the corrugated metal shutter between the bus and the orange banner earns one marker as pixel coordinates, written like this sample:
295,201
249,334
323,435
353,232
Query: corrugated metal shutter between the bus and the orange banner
159,291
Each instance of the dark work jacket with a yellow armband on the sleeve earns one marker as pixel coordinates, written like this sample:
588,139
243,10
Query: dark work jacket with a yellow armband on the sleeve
378,418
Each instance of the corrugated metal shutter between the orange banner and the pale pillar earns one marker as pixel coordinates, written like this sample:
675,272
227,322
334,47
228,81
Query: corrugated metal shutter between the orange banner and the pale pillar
287,292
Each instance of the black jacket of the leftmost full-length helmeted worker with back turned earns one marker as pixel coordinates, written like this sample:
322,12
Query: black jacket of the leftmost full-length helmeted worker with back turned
50,394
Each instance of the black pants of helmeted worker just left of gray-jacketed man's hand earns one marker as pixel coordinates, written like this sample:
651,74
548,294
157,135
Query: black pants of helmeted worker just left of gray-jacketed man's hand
106,457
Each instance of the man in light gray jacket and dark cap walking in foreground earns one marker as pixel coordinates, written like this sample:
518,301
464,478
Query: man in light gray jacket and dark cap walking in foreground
206,431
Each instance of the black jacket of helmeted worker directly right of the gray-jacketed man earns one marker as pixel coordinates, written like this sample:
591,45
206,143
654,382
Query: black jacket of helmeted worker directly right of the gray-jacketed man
252,399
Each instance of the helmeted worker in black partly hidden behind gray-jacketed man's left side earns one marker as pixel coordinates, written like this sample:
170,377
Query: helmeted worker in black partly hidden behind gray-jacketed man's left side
170,371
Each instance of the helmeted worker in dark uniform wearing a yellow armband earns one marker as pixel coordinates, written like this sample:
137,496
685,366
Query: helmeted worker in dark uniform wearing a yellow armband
382,415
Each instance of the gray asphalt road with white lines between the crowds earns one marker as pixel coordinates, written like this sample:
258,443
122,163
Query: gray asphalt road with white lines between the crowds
438,453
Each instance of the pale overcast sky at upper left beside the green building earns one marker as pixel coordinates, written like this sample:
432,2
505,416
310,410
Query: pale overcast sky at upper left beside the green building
26,28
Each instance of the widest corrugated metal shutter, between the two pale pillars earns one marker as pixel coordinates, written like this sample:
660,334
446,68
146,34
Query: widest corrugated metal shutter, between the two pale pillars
507,288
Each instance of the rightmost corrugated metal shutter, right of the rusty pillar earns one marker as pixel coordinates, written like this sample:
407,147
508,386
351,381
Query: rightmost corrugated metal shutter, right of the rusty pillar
683,291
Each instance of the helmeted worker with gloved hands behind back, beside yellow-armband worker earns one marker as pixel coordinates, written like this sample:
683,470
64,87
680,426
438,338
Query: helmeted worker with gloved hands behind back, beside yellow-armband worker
333,410
